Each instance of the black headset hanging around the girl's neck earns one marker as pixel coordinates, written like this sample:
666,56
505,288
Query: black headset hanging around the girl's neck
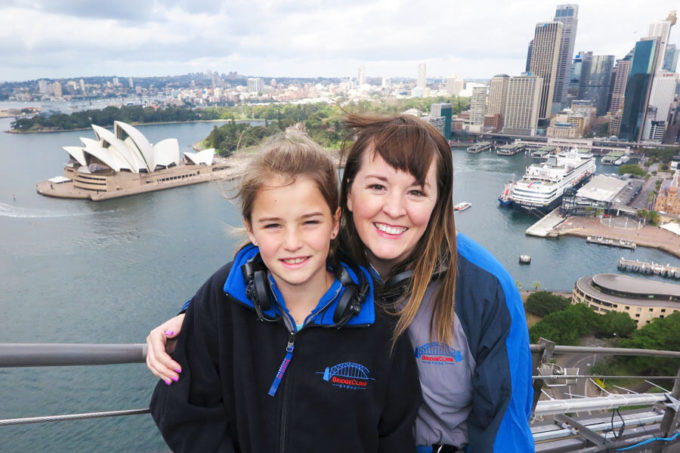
255,274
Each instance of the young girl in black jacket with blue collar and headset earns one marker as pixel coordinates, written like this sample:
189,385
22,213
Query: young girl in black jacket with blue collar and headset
282,349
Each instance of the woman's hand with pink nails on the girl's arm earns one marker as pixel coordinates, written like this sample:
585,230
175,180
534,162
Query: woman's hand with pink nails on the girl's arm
159,345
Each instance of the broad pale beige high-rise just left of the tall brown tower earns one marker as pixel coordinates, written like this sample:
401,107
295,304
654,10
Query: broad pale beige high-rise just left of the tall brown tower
522,105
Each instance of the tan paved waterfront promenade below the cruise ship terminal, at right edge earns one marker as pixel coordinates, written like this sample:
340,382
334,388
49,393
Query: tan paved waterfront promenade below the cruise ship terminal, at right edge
644,236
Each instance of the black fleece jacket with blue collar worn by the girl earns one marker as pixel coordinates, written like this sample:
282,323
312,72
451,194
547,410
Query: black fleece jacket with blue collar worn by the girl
256,386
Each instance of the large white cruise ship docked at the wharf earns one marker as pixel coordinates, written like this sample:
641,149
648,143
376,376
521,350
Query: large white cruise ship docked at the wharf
543,184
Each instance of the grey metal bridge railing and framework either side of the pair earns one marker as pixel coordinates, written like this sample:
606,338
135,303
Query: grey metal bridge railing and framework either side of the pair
655,426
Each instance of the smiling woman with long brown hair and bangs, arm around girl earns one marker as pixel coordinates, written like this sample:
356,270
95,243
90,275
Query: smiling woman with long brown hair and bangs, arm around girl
460,306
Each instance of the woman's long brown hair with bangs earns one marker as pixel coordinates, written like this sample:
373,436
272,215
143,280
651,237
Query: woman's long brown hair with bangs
409,144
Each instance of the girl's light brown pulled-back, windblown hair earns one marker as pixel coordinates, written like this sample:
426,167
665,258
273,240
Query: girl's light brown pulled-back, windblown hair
289,156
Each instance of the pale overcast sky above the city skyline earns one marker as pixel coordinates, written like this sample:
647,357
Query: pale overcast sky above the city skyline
299,38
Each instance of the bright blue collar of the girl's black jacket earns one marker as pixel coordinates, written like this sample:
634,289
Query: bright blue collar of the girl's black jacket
322,315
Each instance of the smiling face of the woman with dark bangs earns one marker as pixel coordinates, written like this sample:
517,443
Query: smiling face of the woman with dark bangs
390,209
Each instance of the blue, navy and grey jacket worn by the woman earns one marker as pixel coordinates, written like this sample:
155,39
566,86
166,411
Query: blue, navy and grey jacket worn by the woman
479,391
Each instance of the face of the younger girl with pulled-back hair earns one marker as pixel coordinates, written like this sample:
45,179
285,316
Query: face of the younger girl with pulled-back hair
293,226
